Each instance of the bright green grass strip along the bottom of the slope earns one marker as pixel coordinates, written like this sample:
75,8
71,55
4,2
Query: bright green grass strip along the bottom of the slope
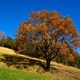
13,74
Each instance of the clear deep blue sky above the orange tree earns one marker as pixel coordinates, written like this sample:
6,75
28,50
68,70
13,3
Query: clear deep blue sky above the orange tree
13,12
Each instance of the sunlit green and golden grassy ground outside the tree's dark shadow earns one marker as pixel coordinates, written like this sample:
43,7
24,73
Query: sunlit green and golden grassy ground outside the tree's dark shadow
57,71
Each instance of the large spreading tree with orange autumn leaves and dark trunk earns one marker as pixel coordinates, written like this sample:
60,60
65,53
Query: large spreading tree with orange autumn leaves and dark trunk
51,33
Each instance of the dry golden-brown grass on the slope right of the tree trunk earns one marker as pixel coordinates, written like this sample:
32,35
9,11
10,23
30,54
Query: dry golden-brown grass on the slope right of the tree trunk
66,71
